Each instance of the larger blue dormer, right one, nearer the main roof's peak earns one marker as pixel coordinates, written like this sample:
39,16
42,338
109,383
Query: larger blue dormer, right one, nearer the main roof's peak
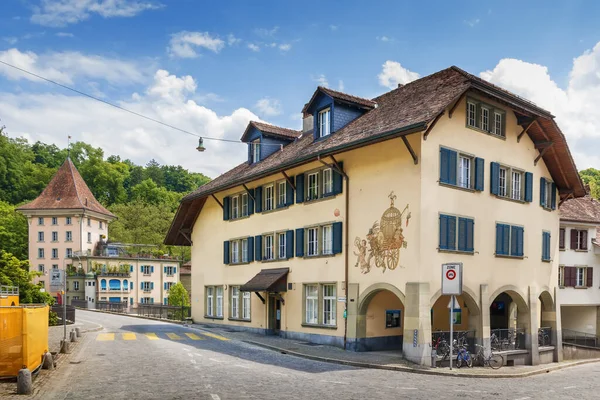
332,110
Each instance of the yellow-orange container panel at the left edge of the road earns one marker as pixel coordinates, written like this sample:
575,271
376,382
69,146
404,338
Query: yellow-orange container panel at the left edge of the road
23,338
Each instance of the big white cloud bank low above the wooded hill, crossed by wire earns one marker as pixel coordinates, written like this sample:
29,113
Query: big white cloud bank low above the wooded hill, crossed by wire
168,98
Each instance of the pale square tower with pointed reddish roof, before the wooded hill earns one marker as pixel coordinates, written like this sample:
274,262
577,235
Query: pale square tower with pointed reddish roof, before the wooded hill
65,221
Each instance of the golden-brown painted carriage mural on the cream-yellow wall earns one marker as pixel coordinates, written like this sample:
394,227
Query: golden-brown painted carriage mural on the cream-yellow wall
384,240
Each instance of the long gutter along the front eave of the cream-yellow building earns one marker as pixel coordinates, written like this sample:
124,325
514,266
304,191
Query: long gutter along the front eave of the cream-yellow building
418,127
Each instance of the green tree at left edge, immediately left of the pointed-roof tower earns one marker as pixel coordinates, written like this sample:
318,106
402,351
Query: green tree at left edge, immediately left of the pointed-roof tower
13,231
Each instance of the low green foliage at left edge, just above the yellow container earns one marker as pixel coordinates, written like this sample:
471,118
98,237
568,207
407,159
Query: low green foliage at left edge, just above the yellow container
14,272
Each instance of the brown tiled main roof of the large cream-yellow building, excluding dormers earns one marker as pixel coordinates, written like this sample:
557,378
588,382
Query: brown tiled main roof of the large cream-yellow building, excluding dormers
408,109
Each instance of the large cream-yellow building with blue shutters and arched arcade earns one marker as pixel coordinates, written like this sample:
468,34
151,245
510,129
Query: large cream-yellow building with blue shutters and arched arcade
336,234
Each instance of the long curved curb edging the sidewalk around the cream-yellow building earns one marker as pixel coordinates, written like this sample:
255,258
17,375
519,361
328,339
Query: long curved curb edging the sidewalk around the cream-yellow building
421,371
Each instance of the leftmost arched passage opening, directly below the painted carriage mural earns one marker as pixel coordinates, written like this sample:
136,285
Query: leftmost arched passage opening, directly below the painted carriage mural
380,319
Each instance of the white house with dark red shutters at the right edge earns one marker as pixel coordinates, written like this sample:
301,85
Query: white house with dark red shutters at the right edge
579,261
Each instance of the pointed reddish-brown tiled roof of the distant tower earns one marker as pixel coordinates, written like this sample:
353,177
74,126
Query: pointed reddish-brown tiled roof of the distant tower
67,190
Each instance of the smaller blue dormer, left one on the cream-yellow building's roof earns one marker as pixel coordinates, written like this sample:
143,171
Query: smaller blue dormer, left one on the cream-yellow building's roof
264,140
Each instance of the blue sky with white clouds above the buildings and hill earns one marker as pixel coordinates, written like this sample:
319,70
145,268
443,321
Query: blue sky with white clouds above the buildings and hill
210,67
